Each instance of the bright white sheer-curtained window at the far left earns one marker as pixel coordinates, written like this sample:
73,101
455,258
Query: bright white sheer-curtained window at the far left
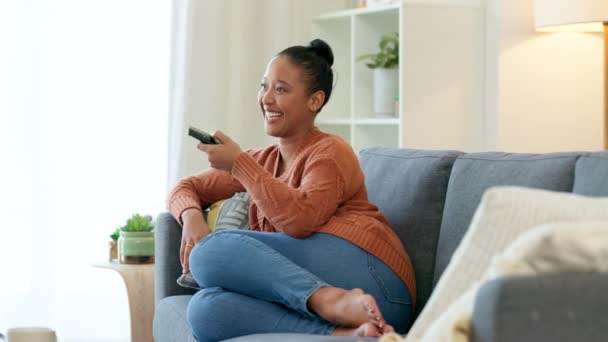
83,141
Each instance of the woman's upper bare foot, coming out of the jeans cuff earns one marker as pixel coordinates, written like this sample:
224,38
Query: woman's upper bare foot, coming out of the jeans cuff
347,308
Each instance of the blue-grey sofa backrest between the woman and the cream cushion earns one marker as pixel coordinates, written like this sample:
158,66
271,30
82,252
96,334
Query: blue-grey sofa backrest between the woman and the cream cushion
429,197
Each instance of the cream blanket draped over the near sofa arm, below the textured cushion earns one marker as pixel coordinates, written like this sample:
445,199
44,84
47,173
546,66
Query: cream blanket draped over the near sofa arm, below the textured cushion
554,247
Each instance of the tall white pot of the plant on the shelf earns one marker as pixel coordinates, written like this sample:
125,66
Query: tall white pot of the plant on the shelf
386,88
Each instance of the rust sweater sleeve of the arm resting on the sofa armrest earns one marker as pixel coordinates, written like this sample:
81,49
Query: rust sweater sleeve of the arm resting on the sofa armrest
200,191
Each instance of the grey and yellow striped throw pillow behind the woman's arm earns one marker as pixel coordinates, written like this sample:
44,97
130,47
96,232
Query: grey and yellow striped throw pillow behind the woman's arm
231,213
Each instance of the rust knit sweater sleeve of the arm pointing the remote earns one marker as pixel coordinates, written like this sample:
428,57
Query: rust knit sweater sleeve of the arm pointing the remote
300,211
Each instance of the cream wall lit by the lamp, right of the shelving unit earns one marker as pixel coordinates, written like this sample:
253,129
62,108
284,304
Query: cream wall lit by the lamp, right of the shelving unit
543,90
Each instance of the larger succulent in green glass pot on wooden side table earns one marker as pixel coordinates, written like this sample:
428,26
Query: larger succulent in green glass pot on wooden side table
136,241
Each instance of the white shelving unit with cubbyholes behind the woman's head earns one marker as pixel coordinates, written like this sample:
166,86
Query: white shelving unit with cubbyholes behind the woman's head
441,74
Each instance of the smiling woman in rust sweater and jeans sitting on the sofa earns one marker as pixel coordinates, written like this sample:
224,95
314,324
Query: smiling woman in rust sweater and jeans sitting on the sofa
319,258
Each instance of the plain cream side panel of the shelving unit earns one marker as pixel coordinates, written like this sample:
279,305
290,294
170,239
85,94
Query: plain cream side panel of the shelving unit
443,74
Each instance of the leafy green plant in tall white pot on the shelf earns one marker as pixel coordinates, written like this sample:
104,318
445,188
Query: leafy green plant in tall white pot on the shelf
386,74
